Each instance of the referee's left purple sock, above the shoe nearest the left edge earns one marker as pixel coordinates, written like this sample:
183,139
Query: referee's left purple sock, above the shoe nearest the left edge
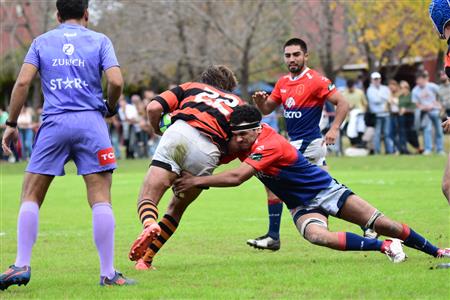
27,227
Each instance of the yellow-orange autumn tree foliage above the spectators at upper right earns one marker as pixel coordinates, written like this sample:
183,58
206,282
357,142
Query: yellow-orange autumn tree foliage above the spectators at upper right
388,33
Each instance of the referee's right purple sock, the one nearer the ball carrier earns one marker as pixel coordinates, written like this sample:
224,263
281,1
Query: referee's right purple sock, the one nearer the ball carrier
103,226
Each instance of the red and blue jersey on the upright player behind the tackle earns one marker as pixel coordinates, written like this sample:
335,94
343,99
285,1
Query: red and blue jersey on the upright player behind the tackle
303,98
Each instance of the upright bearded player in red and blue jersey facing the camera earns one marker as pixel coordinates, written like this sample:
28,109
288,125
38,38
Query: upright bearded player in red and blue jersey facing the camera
302,93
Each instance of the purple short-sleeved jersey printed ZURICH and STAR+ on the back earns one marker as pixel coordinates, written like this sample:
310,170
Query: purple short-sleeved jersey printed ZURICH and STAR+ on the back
70,60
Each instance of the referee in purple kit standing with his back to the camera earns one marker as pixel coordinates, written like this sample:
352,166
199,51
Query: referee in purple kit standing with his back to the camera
70,60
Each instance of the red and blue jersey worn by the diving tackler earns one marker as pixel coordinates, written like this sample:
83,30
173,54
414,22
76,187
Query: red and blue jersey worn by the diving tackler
284,170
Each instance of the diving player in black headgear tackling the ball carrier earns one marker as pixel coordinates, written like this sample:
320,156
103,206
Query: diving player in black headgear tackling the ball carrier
310,193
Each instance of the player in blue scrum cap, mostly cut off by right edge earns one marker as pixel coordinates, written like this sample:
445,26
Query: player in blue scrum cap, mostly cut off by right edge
440,15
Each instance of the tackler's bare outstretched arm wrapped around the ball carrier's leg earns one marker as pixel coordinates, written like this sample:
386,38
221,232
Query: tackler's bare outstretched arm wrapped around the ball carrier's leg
228,178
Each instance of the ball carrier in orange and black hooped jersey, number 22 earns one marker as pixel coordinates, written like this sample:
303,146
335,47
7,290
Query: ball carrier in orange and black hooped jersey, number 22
194,142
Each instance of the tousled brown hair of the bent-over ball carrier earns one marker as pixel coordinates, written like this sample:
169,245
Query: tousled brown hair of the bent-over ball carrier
219,76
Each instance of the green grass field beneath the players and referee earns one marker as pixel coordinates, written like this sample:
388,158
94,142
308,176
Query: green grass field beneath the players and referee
208,257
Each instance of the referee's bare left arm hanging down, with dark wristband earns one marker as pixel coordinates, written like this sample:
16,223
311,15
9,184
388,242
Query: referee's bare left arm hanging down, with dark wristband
18,98
